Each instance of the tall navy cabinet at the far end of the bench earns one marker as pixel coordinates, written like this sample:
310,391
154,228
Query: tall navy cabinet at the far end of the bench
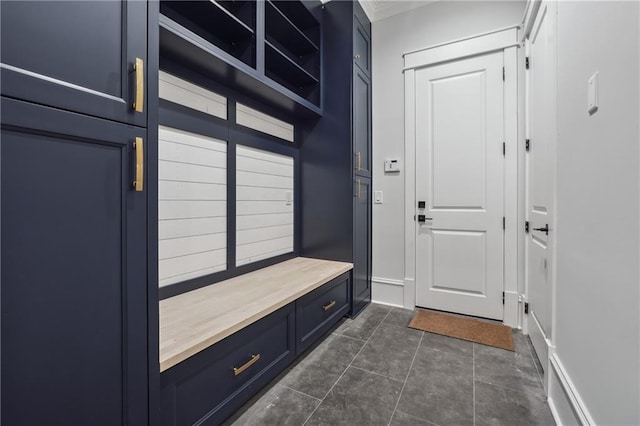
336,152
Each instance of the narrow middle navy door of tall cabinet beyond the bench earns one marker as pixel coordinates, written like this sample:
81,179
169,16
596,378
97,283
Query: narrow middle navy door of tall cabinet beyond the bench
361,122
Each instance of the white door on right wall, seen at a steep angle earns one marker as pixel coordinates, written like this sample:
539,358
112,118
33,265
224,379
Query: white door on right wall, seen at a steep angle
540,178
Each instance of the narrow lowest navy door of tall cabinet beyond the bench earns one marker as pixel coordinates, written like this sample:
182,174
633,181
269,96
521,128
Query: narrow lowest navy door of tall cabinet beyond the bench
362,245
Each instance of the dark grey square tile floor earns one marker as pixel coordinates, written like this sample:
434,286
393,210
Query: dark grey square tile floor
375,371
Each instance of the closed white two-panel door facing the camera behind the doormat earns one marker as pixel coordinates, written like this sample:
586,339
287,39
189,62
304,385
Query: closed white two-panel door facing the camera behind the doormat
460,177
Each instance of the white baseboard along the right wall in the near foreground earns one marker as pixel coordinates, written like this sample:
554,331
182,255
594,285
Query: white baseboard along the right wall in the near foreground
565,402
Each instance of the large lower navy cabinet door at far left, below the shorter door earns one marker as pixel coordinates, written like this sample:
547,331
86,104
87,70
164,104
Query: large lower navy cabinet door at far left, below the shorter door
73,270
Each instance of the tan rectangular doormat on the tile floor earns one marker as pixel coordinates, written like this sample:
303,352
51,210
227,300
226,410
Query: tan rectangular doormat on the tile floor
497,335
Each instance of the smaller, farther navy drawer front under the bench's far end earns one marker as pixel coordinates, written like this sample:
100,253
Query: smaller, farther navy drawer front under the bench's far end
319,310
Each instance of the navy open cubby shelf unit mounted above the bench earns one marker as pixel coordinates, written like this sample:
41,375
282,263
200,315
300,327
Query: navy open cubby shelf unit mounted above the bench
227,31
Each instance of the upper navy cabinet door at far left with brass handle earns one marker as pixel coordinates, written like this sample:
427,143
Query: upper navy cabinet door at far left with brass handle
76,55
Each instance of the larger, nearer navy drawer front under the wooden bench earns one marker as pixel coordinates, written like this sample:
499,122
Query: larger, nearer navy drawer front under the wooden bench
205,389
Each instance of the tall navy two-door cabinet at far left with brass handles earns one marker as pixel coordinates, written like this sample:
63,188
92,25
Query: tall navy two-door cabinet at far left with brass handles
75,303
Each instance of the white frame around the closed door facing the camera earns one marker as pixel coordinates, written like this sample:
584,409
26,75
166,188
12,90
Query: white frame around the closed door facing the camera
506,40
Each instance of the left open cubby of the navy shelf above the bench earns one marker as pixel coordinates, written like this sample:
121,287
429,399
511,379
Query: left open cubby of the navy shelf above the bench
214,22
